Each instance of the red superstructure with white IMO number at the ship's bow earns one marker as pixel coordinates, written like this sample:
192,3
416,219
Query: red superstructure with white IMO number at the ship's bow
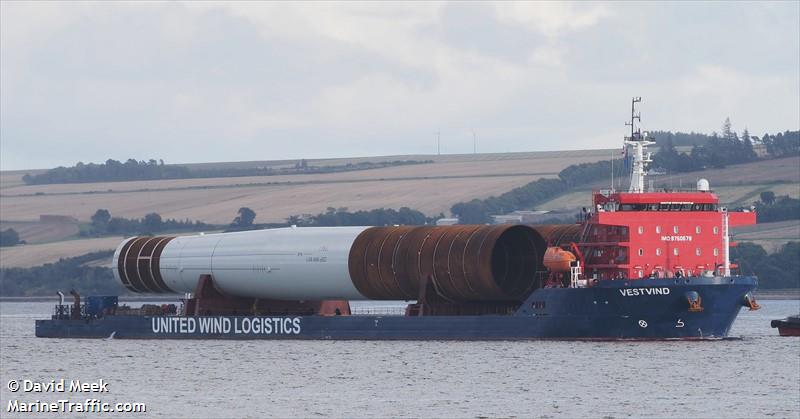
659,234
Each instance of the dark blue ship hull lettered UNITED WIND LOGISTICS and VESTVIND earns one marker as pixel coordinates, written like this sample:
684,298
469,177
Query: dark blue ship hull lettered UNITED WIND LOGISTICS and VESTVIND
610,310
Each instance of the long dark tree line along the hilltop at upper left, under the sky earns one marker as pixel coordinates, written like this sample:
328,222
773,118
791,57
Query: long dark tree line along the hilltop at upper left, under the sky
131,169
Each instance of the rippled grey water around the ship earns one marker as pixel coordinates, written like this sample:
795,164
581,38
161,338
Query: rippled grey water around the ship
755,376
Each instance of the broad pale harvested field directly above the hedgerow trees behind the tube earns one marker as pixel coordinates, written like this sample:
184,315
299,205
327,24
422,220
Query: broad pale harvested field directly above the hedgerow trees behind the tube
271,203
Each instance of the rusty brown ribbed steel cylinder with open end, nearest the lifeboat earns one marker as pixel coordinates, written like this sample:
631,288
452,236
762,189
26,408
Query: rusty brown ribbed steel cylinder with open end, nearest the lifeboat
461,263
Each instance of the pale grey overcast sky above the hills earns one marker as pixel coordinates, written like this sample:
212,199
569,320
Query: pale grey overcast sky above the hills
195,82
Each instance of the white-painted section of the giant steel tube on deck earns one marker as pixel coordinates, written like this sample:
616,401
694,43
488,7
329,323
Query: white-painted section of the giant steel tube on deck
308,263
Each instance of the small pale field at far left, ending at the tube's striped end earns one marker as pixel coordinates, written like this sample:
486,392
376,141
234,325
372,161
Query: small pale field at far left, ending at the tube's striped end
38,254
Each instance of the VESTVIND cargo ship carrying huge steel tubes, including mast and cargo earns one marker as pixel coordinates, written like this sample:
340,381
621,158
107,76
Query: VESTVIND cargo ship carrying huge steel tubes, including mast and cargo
637,264
